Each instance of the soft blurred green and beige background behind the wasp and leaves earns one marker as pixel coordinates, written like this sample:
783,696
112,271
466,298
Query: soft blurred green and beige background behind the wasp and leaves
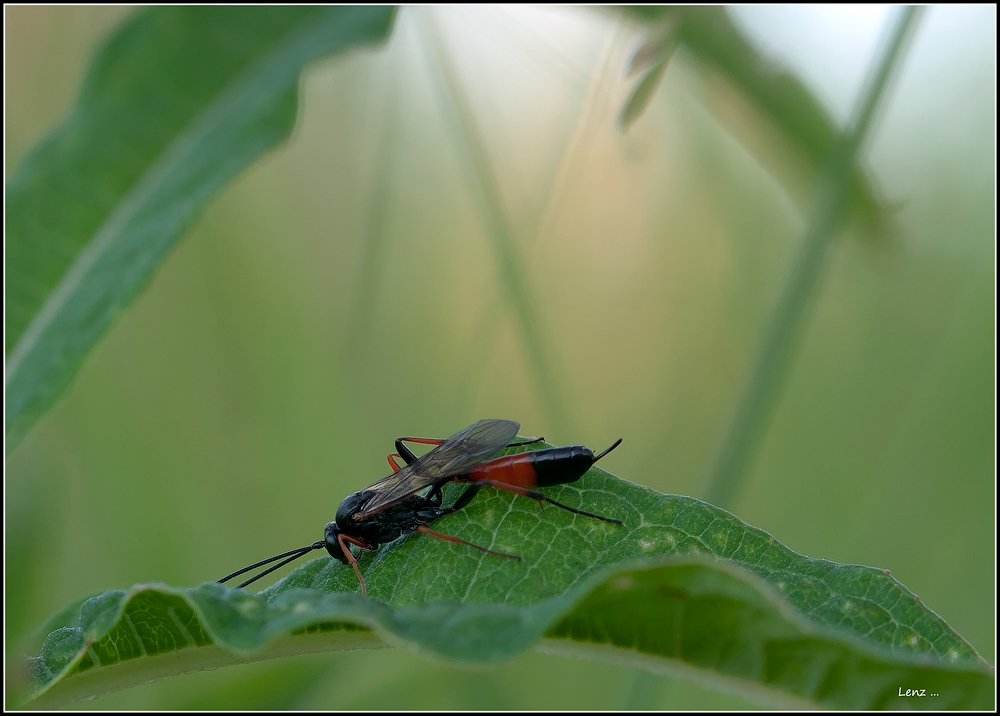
346,290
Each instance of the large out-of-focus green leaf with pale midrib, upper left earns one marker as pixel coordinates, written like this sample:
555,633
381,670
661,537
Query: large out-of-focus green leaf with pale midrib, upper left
176,104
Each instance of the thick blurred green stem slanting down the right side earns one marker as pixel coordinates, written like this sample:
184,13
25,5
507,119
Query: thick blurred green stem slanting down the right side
783,327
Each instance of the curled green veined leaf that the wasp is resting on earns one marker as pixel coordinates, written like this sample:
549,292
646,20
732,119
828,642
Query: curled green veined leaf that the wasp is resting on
681,587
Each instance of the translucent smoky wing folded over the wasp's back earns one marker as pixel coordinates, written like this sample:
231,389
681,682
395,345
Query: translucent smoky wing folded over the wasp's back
480,441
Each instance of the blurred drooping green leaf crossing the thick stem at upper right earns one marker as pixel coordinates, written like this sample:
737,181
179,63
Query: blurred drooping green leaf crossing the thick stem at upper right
759,102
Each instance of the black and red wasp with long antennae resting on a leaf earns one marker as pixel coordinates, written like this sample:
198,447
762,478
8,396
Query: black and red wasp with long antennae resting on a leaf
410,498
